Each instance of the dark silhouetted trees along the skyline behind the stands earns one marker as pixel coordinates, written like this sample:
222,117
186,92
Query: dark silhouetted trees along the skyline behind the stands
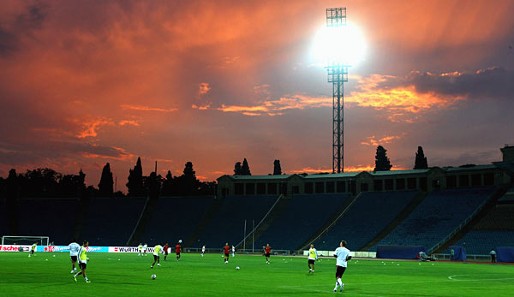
46,182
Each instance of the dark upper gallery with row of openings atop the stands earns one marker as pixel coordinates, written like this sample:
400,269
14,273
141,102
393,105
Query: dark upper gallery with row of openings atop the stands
426,180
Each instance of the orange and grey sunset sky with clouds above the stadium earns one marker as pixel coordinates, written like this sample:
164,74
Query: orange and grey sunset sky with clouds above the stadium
83,83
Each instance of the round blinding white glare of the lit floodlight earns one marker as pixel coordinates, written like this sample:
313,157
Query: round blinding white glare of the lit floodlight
343,45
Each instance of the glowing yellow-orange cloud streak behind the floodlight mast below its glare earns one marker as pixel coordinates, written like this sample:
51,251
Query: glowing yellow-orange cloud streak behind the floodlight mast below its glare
401,103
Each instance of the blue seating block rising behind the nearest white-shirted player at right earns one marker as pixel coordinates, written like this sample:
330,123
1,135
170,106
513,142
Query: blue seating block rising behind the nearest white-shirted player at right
365,218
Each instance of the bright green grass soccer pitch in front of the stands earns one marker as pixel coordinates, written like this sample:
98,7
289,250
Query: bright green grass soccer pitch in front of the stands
48,274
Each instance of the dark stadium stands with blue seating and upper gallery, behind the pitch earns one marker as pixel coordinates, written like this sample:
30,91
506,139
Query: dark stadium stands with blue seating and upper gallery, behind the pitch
411,210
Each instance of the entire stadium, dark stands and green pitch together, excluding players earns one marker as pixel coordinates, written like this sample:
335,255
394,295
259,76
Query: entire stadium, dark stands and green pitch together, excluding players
457,215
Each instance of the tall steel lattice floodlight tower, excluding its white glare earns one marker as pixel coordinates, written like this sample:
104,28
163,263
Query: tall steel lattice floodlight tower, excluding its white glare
337,75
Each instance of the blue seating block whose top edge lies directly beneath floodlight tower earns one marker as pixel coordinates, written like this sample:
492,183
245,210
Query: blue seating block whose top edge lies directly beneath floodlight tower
303,216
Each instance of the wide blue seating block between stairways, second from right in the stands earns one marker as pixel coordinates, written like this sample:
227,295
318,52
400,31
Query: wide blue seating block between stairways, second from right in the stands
437,216
